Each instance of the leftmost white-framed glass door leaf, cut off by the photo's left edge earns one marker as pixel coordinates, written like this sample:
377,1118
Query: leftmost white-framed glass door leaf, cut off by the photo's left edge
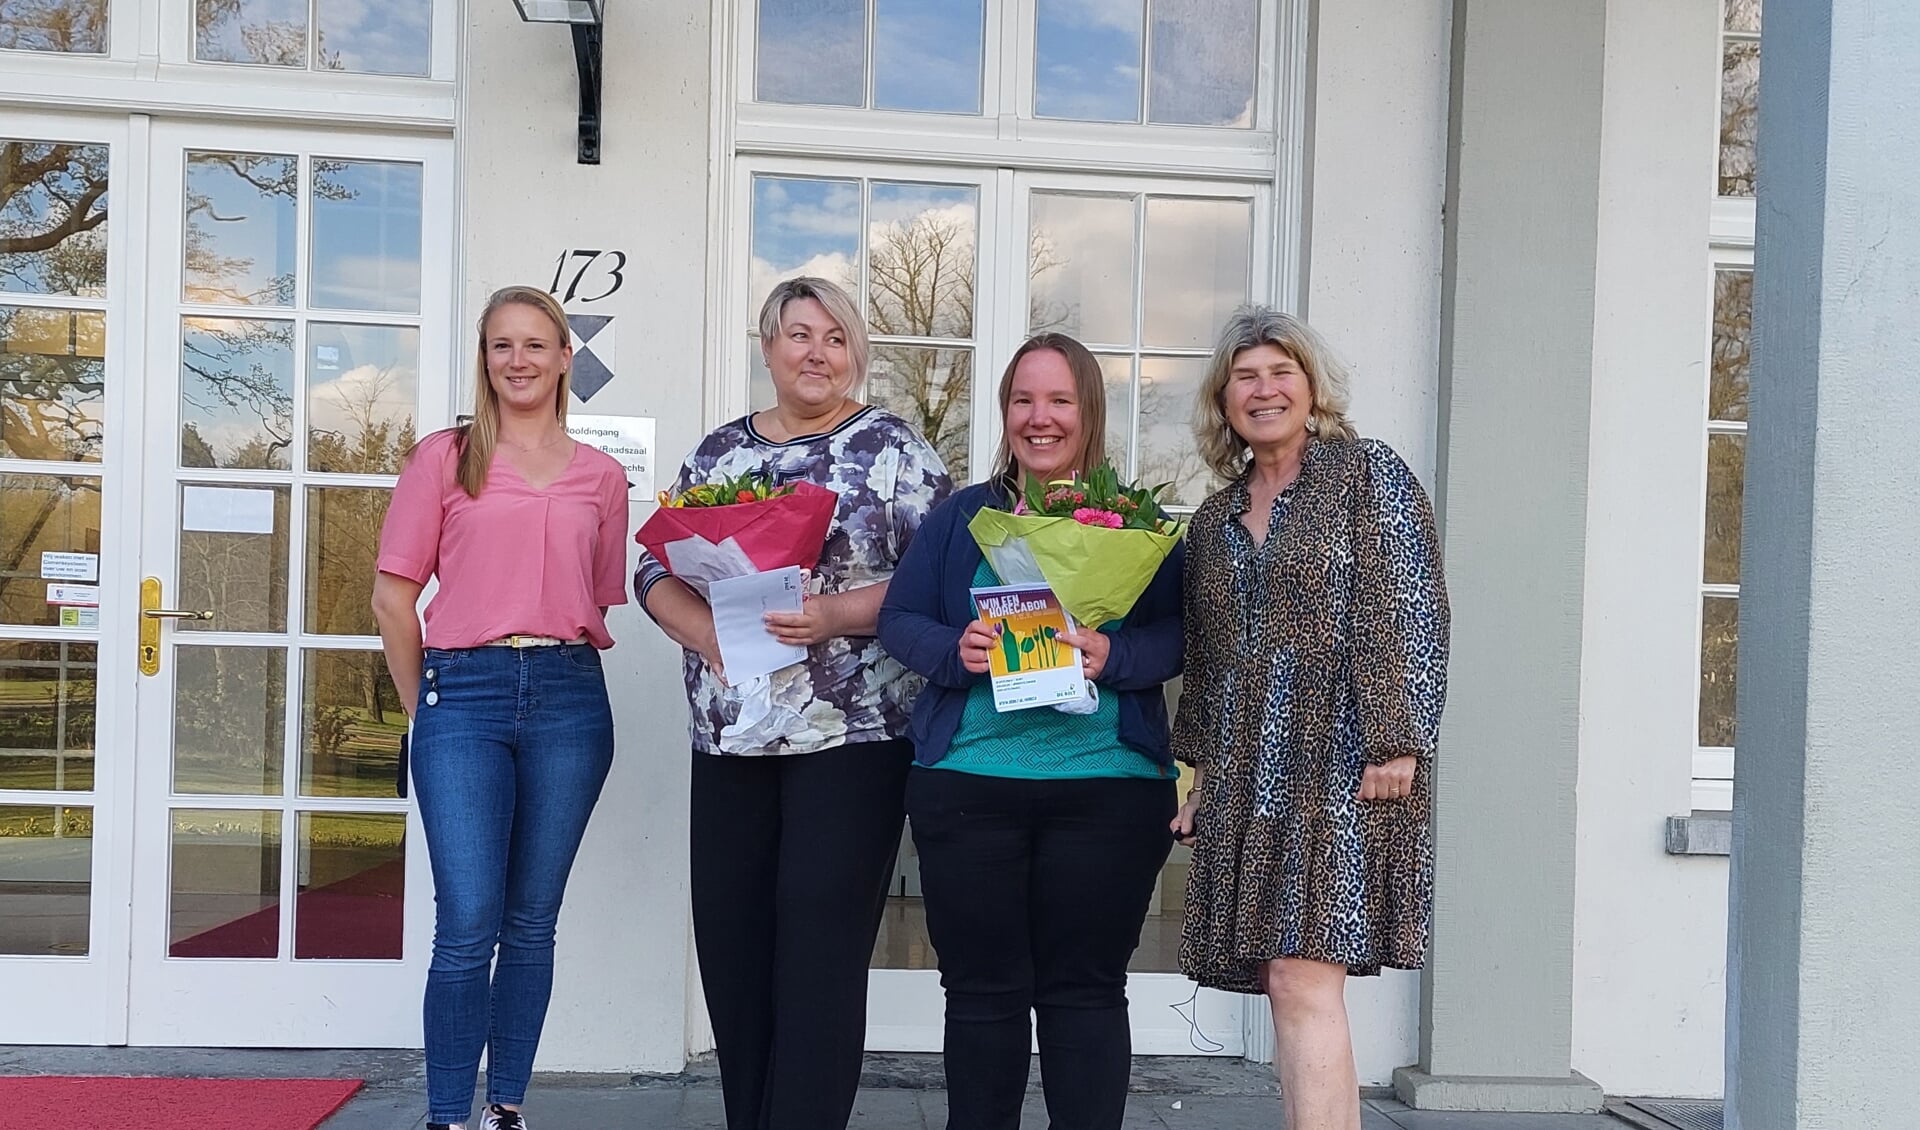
64,412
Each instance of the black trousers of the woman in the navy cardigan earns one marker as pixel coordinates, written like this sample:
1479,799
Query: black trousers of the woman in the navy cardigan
1036,893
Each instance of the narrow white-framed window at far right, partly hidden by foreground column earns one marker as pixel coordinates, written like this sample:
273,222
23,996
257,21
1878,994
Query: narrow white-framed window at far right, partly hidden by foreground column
1725,427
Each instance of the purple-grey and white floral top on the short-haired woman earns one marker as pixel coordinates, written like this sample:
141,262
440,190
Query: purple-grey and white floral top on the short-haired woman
888,481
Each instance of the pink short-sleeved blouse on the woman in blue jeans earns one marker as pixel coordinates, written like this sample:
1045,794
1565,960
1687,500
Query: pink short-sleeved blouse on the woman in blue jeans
516,561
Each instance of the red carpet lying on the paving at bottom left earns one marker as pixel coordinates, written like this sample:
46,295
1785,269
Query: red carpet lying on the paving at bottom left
57,1102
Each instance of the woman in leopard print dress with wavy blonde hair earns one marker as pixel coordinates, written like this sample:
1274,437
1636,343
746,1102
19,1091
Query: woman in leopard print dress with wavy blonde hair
1316,672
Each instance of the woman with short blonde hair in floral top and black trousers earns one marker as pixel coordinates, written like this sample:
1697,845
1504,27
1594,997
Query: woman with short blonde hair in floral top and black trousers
798,812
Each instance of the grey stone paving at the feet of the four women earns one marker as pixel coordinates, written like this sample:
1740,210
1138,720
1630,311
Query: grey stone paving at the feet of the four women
900,1093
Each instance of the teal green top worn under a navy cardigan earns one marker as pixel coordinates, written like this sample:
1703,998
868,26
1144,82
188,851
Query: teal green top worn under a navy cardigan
1042,743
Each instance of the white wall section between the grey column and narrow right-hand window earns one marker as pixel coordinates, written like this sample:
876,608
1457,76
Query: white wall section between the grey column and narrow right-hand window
1650,930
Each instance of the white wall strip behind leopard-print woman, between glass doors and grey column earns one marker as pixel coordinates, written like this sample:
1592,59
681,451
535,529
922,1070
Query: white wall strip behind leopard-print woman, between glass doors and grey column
1378,164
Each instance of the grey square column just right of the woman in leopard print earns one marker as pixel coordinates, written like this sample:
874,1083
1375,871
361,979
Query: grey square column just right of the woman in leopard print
1518,367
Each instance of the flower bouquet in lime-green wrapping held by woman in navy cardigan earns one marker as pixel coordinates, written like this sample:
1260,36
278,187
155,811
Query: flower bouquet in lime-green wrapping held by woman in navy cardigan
1095,542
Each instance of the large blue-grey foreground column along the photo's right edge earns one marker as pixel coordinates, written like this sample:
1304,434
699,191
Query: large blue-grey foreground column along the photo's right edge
1823,999
